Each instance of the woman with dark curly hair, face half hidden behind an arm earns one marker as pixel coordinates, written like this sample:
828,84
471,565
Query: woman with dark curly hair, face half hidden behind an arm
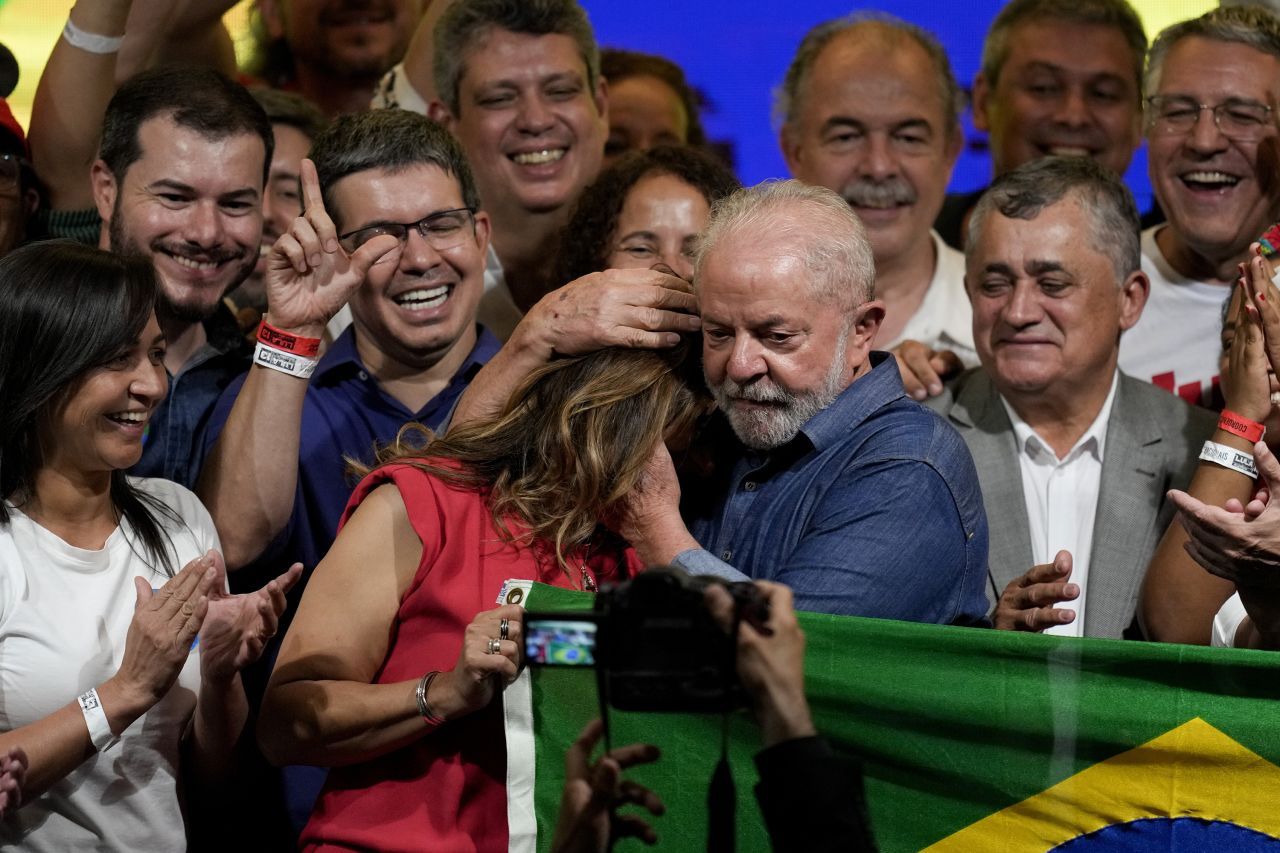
646,209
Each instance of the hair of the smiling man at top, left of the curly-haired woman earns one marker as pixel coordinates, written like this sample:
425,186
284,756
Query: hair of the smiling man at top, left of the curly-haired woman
469,21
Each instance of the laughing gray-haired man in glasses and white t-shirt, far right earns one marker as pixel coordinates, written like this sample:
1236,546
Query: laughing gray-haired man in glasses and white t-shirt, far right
1212,86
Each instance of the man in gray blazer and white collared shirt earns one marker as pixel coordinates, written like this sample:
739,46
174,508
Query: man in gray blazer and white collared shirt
1073,457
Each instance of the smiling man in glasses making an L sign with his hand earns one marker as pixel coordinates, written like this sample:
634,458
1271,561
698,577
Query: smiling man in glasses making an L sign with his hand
391,225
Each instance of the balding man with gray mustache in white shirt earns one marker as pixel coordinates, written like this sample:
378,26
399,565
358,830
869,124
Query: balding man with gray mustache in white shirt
870,110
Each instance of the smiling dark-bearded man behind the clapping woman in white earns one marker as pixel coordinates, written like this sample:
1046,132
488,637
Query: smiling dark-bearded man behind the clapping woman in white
180,180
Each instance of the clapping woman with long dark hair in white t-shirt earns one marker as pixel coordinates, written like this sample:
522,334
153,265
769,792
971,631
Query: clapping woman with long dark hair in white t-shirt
103,679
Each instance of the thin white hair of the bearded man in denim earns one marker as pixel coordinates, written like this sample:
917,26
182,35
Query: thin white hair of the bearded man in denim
829,239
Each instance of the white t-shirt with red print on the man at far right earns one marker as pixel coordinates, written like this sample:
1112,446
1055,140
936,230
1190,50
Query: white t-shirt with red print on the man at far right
1177,343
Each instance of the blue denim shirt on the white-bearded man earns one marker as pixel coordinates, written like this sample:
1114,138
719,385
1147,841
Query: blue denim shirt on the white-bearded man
872,510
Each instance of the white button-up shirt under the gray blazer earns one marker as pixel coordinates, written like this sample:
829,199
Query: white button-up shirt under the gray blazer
1062,499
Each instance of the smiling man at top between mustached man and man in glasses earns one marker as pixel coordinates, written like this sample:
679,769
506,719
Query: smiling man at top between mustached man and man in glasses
1059,77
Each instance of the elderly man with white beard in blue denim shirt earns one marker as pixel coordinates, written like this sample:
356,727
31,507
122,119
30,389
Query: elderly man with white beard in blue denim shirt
833,481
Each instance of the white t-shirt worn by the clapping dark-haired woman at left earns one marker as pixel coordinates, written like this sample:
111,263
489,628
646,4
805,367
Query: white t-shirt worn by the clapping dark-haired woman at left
65,614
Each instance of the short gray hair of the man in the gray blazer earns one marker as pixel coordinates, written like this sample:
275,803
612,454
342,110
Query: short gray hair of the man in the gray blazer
1028,190
